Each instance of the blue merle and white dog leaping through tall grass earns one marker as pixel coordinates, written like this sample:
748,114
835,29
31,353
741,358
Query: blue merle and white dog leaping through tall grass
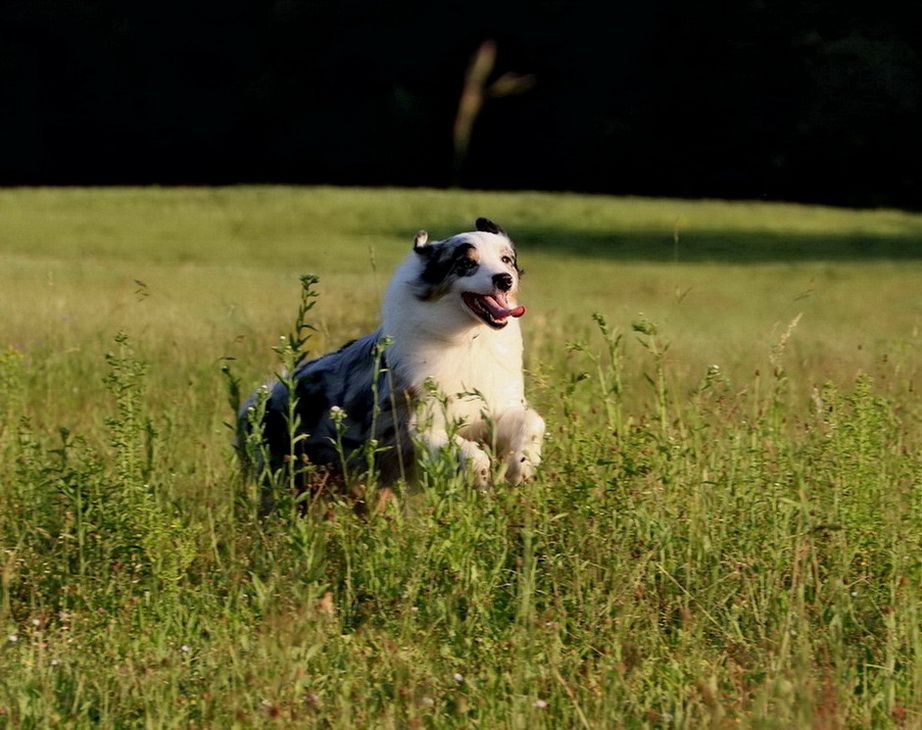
449,377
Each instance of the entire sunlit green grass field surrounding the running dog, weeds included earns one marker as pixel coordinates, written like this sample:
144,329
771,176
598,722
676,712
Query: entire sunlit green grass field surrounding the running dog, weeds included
727,529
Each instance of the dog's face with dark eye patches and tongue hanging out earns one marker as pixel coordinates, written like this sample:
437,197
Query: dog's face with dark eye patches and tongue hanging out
476,272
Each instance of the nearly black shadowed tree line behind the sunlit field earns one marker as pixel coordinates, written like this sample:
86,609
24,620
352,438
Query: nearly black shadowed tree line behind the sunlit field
815,101
